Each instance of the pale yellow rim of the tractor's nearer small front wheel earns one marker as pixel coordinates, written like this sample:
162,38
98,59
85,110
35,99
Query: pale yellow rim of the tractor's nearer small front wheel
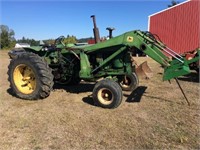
105,96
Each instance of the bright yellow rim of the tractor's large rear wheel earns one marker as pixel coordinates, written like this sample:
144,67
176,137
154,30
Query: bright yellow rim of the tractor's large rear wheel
24,79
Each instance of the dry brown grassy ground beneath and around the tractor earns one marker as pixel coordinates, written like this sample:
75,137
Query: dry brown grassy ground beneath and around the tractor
154,116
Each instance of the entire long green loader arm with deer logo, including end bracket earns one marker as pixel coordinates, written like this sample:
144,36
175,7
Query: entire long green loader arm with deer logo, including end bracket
174,64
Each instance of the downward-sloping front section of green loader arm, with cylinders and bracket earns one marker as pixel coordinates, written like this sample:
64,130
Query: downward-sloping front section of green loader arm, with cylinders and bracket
174,64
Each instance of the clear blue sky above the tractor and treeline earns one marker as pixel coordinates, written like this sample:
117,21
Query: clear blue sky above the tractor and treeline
49,19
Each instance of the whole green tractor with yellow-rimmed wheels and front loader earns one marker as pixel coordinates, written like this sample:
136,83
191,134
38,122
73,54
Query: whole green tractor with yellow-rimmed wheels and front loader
34,70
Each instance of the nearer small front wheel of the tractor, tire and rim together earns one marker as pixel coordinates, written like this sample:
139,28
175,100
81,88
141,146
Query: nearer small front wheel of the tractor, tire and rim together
107,94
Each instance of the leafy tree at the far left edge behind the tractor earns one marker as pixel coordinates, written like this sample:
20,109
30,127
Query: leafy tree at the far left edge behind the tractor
7,39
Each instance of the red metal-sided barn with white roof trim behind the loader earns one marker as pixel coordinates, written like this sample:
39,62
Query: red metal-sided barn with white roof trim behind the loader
178,27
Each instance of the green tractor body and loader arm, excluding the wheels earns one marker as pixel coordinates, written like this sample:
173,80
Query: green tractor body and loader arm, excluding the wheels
111,58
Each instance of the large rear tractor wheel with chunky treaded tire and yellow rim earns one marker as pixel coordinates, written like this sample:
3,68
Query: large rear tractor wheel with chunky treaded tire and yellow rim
30,77
